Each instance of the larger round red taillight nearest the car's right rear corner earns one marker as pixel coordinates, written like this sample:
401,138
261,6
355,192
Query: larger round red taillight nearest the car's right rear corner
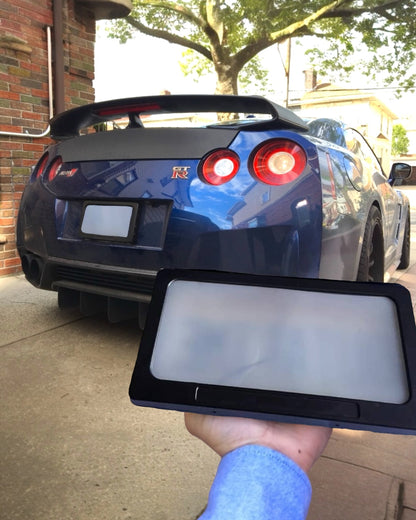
277,162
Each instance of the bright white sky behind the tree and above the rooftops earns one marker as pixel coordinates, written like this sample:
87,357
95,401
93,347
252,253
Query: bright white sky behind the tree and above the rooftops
146,66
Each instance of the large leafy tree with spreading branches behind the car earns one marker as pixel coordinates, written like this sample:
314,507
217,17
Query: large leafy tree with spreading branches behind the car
229,34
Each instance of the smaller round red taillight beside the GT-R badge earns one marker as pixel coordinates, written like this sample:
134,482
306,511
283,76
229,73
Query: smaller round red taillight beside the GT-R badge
219,167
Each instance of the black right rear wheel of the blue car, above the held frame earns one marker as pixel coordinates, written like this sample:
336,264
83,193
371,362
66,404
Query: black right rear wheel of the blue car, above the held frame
371,266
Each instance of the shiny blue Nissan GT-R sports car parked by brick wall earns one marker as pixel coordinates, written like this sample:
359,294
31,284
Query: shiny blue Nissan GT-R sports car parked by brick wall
229,183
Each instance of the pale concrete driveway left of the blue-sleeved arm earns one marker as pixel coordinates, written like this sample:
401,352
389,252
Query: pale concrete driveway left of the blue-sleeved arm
72,446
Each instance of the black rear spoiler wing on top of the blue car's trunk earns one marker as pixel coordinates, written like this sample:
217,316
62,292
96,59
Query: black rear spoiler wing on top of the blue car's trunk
69,123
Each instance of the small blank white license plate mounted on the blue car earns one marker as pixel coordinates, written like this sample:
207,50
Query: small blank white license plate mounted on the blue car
109,221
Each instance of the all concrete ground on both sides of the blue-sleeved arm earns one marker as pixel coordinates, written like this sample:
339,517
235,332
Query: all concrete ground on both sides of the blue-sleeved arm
73,447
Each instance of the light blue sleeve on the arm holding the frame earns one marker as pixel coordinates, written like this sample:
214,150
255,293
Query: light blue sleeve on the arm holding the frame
258,483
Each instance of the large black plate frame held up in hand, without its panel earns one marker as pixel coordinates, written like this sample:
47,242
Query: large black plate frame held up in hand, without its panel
146,390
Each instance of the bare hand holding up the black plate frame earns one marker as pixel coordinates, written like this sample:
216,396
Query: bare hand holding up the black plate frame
303,444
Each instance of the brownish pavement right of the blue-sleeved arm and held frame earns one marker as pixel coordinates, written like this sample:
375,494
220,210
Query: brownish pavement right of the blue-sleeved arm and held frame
364,475
